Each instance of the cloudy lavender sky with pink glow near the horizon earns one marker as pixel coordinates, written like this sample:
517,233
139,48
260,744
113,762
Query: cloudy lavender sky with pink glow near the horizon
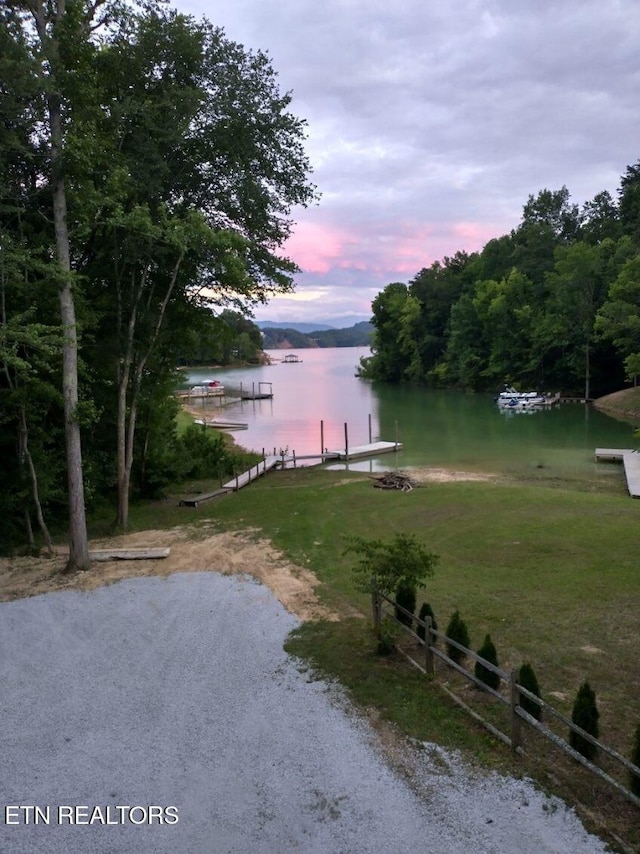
431,122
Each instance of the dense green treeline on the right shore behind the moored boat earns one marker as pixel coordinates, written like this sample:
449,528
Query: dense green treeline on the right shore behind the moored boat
555,304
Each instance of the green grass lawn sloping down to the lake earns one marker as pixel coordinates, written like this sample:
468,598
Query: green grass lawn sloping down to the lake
552,573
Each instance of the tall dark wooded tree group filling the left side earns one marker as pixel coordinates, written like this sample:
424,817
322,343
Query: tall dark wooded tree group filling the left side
148,169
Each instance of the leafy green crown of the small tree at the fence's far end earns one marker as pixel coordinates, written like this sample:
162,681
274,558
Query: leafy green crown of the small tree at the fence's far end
386,564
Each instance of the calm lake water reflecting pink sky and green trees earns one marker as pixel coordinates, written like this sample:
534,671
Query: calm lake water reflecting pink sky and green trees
436,428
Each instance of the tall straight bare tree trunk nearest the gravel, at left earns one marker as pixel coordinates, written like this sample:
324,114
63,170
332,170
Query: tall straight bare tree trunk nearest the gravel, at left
78,541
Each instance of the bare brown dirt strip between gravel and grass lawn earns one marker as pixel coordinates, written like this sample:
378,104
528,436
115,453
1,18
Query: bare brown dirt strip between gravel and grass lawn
192,550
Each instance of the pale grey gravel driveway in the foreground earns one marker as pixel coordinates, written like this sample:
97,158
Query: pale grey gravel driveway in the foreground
123,702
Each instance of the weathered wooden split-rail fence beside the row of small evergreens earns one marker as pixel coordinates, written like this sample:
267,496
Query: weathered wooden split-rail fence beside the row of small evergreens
510,698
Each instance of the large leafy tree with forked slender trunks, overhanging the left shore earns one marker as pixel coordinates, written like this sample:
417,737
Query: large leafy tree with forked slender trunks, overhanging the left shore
203,165
